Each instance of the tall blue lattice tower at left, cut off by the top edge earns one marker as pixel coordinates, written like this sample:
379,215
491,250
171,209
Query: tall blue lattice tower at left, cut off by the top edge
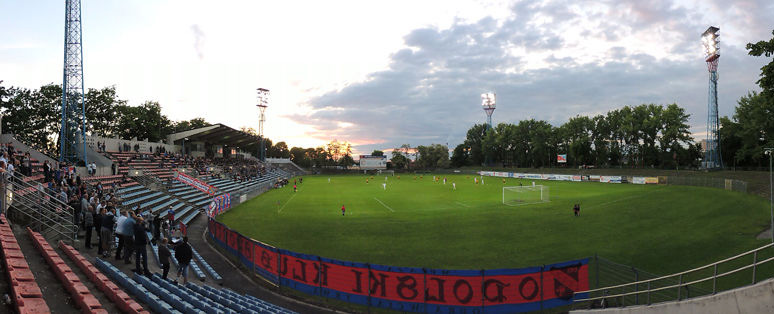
72,135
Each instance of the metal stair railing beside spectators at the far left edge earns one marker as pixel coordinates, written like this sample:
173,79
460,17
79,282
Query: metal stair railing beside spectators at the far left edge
37,209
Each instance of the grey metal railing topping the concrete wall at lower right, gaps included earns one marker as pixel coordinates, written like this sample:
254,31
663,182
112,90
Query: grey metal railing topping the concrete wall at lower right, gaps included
646,292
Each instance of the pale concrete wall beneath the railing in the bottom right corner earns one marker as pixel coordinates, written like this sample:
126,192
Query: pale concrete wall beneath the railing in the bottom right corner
758,298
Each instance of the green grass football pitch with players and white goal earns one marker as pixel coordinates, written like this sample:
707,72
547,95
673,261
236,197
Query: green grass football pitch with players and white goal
417,222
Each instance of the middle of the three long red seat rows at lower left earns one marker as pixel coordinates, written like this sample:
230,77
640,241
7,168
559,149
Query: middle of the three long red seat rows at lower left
80,293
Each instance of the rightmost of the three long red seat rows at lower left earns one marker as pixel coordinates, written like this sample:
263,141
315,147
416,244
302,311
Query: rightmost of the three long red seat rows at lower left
121,298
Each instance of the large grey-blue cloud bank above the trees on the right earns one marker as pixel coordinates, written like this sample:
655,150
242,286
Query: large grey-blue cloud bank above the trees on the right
549,60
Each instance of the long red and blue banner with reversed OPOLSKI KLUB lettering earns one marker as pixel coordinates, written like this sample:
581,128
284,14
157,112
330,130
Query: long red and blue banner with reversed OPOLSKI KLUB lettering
410,289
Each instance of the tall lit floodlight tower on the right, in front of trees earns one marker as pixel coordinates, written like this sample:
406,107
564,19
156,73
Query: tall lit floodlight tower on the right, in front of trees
710,41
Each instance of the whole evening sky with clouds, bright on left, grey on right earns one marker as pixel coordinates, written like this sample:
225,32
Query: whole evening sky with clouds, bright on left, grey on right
383,74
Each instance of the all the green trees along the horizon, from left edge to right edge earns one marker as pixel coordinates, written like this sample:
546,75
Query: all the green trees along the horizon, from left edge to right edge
646,135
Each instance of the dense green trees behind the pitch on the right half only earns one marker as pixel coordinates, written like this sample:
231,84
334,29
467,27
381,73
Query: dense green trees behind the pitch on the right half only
646,135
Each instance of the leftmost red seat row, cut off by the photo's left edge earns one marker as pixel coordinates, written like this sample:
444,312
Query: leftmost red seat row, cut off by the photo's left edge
26,292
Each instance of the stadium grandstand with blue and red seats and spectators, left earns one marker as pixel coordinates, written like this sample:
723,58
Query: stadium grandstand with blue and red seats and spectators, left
61,227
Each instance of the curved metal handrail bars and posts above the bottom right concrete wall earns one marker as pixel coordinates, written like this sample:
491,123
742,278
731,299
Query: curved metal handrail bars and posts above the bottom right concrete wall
680,284
